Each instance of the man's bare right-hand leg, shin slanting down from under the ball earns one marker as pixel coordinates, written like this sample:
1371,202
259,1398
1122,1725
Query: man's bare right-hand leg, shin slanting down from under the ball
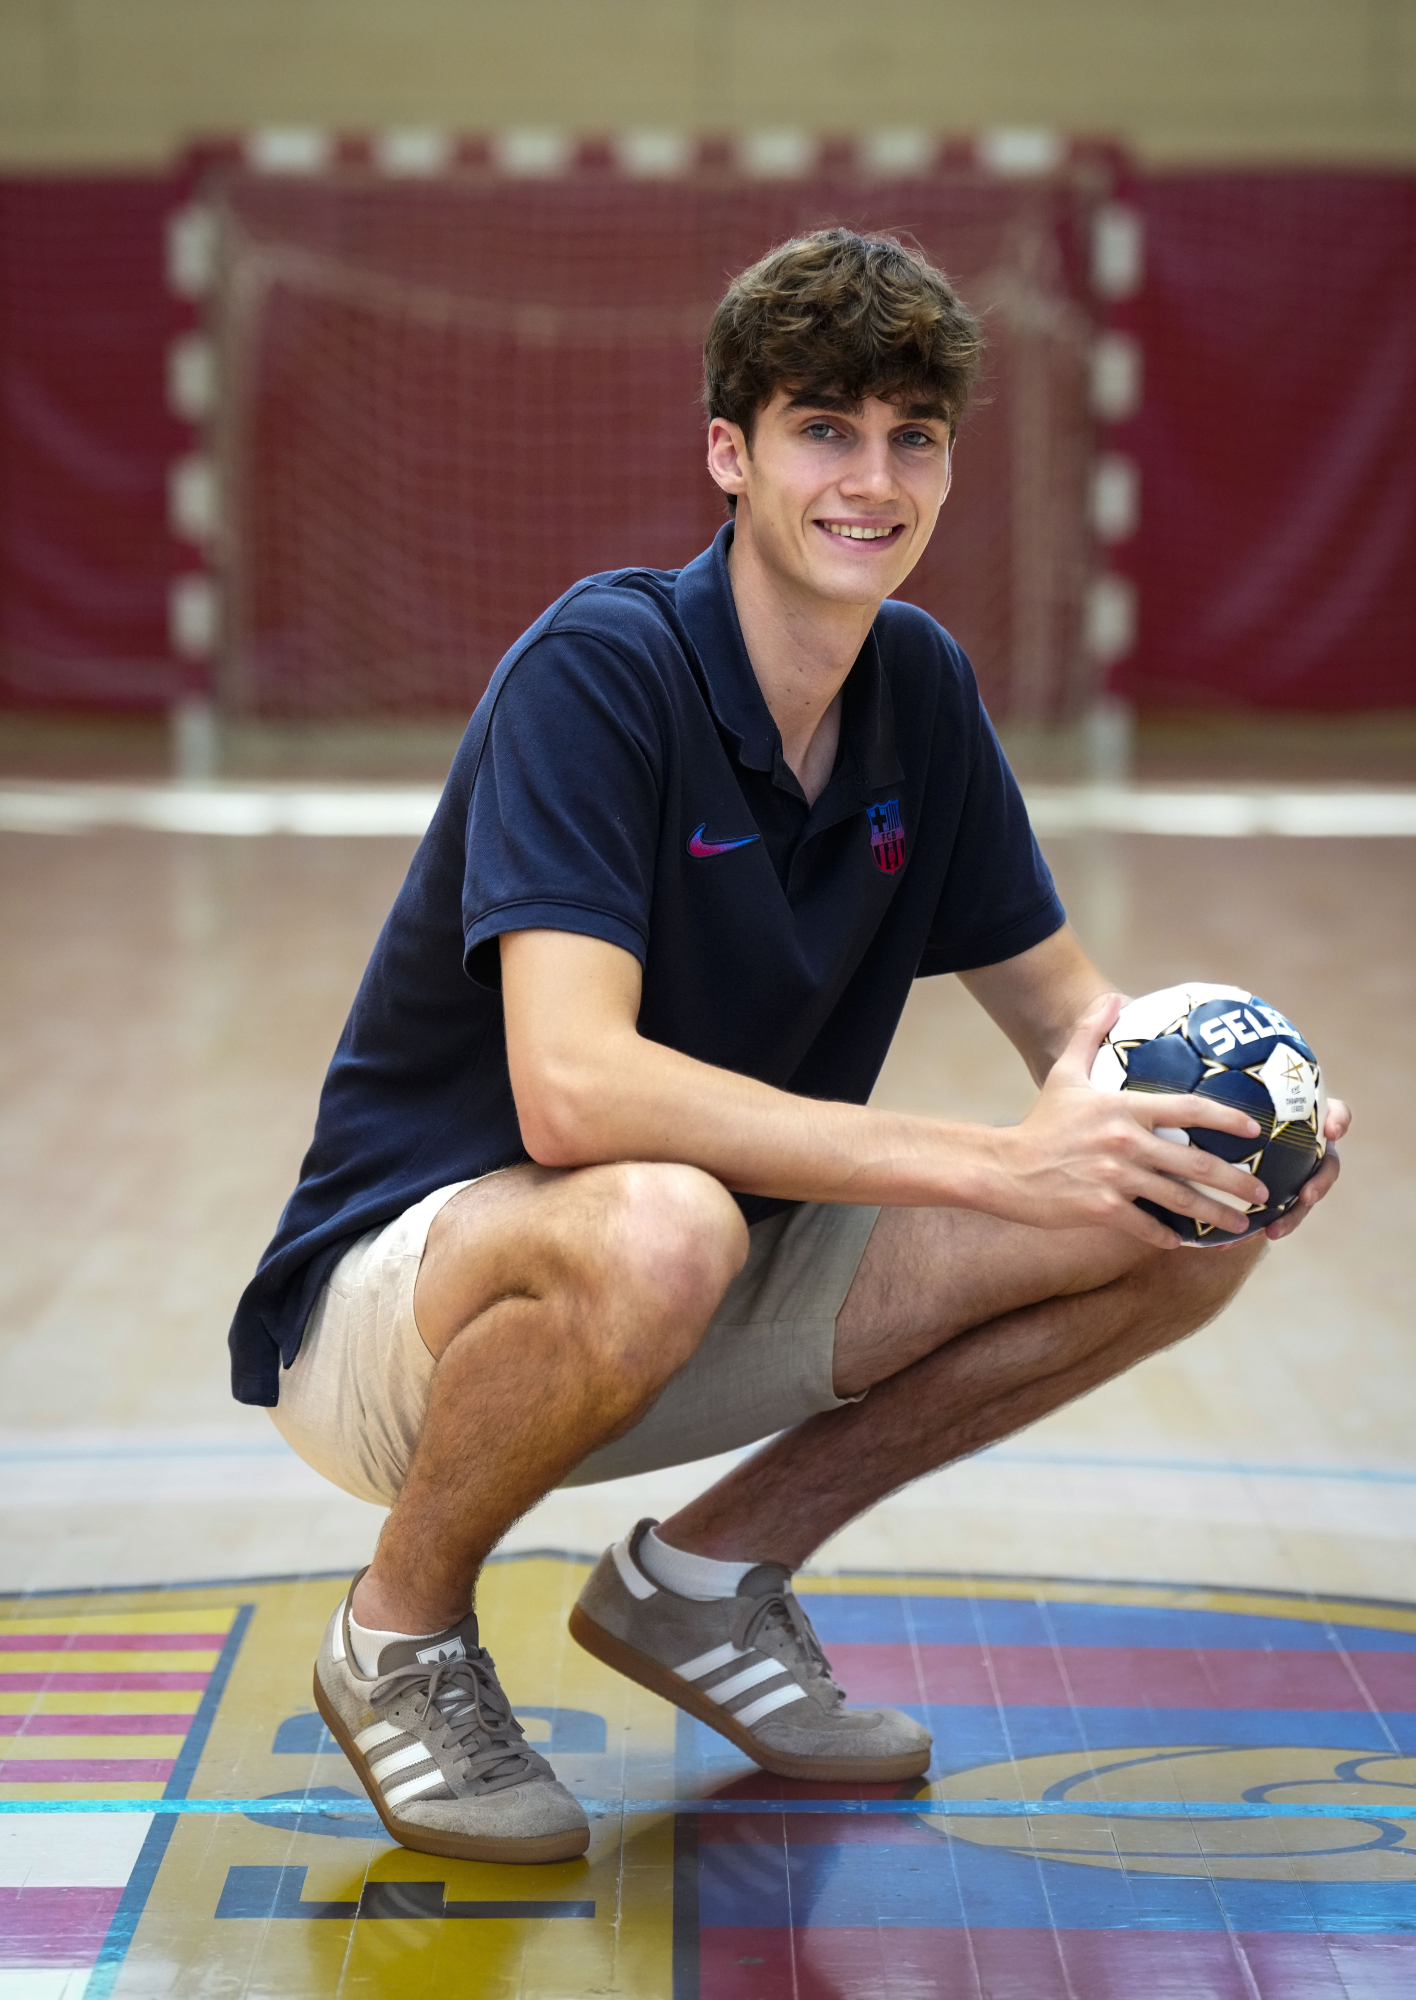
989,1327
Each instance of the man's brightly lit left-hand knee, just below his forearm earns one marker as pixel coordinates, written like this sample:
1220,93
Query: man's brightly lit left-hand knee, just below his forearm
667,1247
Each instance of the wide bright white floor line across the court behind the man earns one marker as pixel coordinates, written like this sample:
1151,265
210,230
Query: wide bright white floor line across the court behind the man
389,811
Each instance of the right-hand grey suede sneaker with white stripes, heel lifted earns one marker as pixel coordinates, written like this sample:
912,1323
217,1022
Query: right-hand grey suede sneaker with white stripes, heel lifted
749,1667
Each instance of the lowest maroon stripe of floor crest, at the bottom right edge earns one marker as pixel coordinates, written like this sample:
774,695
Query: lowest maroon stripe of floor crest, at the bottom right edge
1053,1965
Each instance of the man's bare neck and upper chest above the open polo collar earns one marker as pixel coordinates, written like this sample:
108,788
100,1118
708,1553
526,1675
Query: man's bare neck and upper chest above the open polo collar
801,649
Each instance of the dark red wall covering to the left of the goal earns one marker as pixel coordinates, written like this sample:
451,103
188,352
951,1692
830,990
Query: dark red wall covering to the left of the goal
85,443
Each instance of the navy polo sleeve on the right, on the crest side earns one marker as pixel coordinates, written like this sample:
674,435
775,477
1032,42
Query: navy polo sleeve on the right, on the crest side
999,895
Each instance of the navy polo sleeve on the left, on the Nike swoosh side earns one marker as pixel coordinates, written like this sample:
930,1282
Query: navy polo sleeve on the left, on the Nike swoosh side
565,811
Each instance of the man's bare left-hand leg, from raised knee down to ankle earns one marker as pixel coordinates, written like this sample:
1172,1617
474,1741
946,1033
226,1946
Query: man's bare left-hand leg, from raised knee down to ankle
557,1307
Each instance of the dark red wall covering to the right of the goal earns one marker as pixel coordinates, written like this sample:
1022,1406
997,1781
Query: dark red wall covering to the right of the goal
1277,557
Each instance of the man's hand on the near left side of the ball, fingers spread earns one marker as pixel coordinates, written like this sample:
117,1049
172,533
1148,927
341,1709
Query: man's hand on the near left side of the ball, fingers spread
1085,1157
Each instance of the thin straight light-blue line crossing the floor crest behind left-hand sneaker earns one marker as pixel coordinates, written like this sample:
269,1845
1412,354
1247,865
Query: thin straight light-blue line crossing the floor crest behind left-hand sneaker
955,1809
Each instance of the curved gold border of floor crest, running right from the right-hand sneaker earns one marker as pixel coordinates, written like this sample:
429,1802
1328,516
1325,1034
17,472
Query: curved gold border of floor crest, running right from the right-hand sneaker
1165,1597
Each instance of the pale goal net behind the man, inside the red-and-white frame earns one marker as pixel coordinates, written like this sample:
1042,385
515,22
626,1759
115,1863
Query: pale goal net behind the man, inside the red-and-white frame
447,399
